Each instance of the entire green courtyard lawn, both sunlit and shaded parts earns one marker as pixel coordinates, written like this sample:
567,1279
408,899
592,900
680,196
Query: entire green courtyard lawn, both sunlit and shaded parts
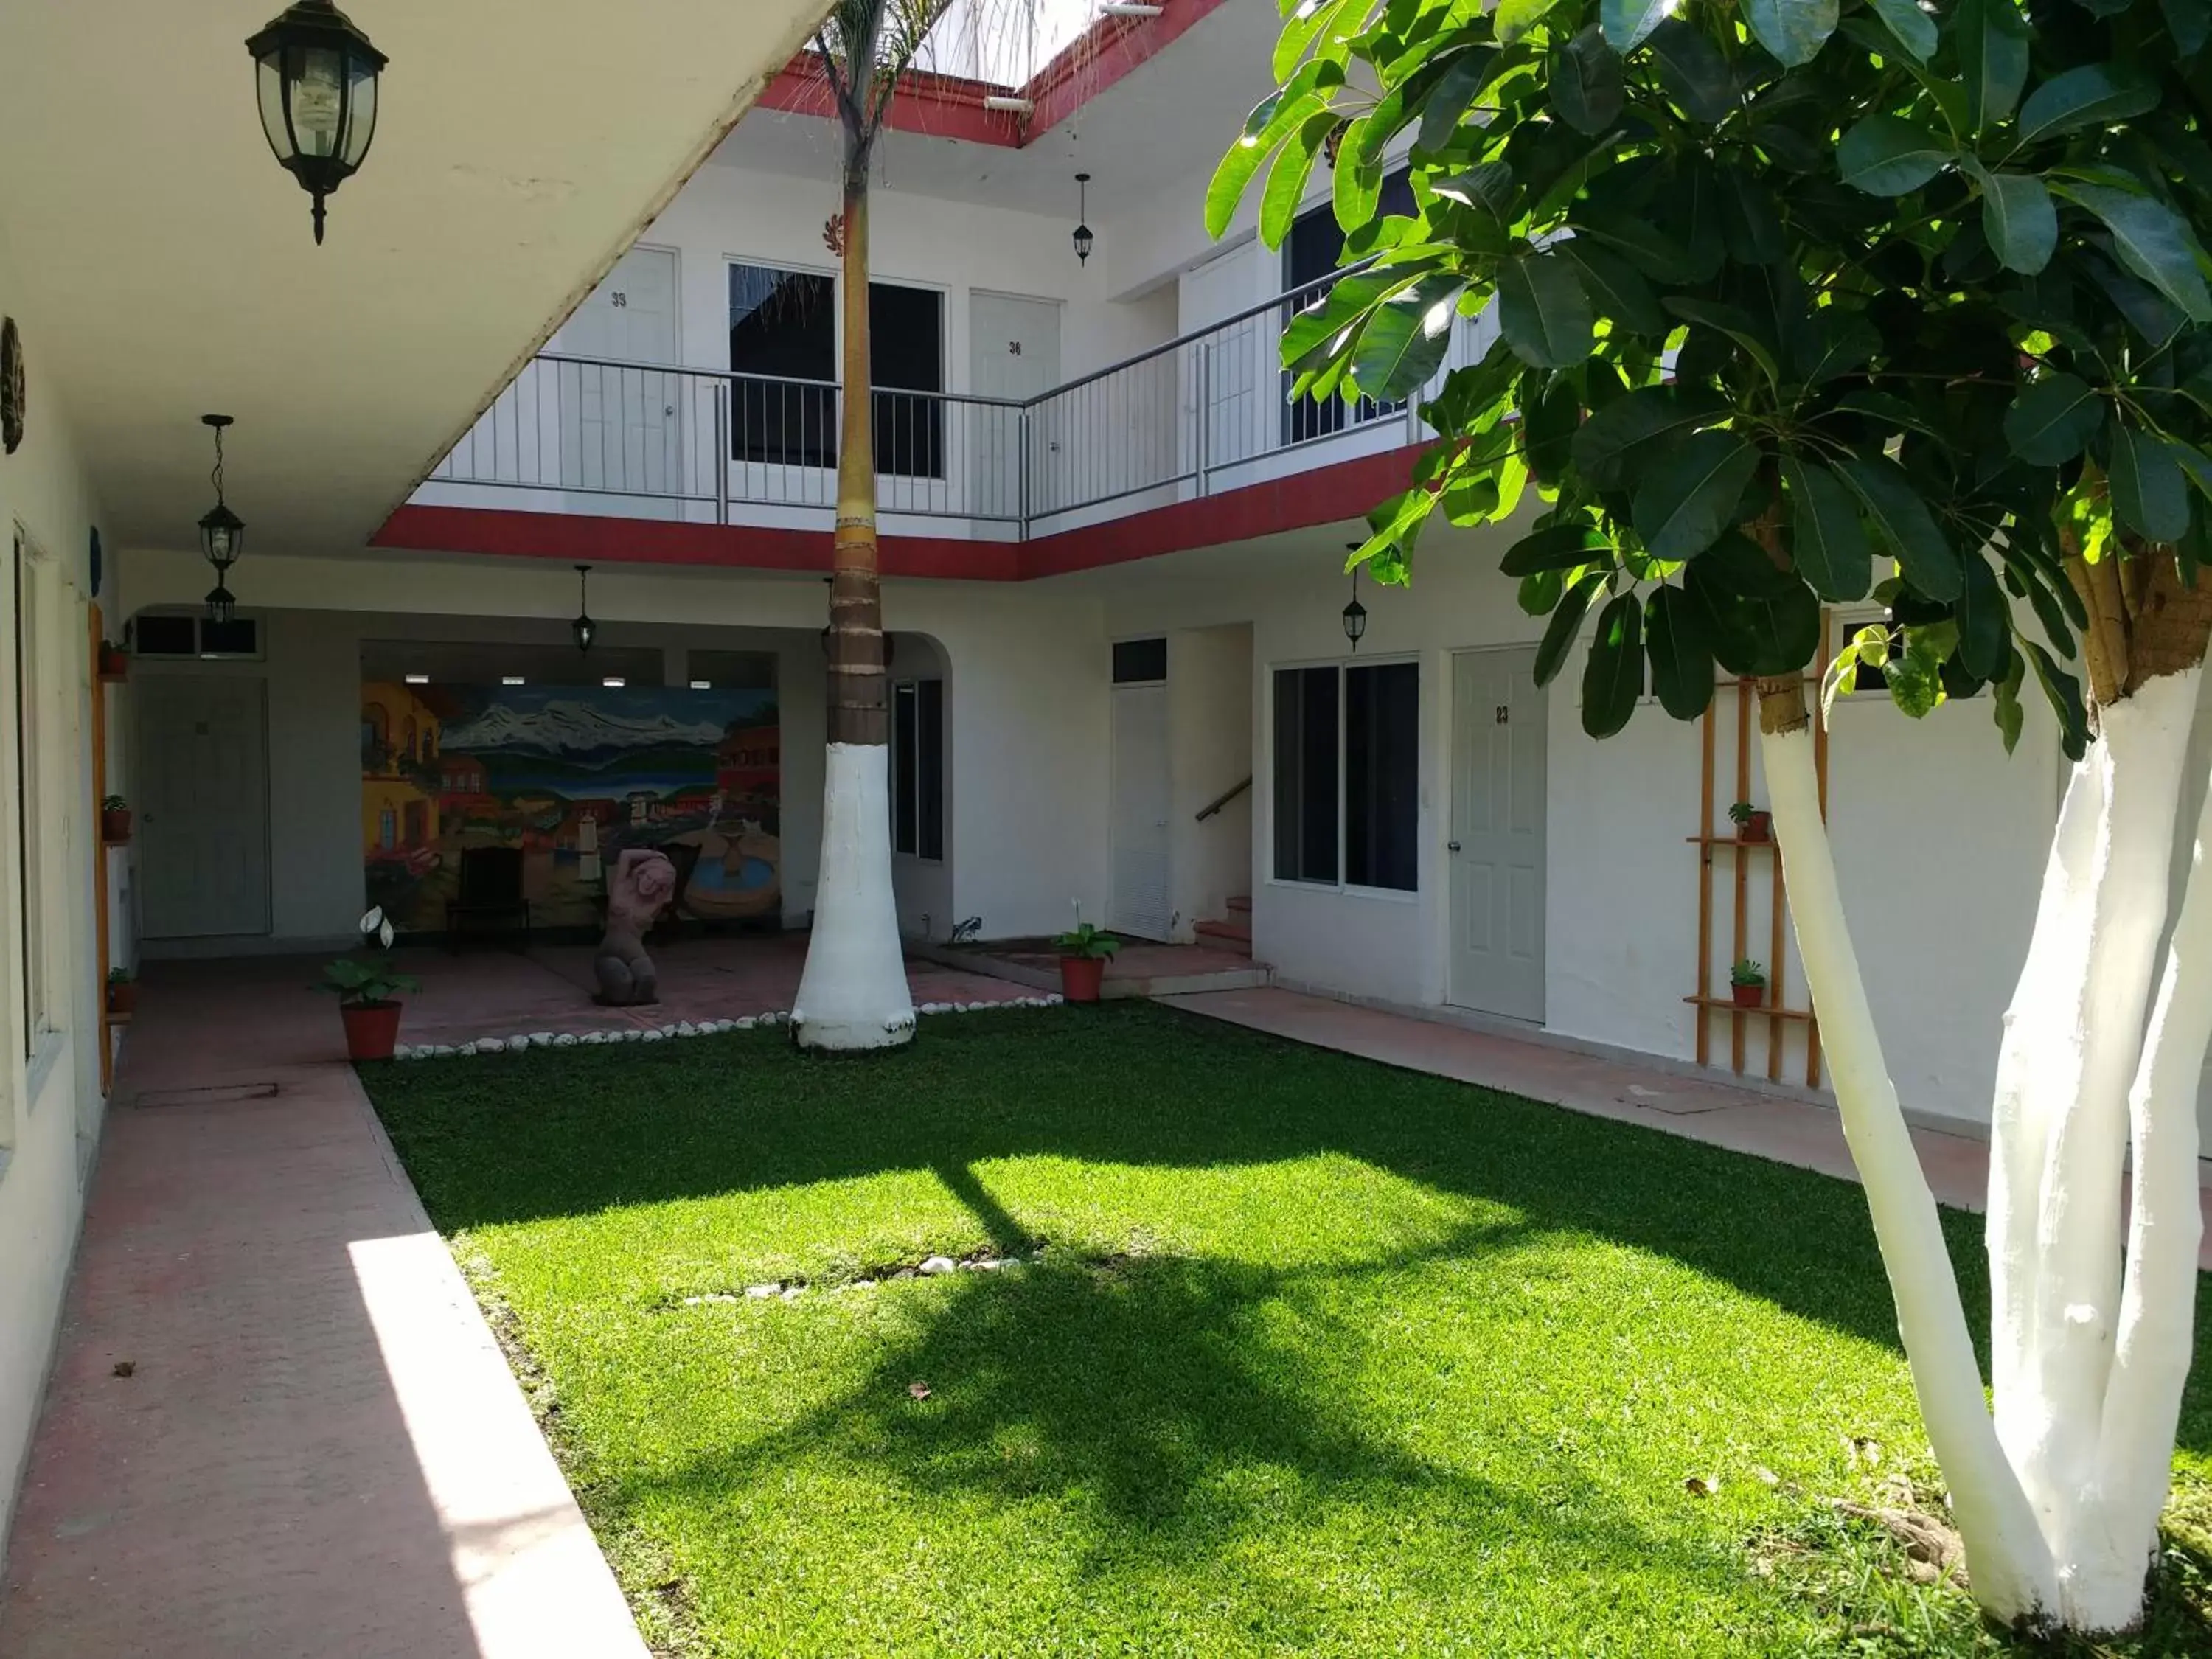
1317,1357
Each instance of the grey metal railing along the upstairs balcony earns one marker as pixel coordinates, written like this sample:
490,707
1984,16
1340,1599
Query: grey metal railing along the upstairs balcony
1189,417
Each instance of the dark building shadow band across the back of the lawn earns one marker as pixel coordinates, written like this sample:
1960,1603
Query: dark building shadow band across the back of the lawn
576,1131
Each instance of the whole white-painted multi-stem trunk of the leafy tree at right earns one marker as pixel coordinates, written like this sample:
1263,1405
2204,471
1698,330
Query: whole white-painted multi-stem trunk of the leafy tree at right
2060,1492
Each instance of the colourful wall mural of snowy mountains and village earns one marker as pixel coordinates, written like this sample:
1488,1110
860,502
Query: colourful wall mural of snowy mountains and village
572,775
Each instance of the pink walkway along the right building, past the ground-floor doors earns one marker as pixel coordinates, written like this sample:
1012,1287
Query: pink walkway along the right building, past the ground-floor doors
1700,1109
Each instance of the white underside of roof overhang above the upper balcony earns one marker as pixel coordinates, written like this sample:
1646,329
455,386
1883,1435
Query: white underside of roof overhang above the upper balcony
1162,121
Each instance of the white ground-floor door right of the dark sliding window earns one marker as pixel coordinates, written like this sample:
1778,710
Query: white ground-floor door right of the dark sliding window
1499,835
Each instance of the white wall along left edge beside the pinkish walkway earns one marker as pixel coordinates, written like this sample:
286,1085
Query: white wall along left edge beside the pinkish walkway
50,1109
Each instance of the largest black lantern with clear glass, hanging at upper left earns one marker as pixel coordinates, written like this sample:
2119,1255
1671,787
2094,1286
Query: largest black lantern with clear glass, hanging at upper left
317,83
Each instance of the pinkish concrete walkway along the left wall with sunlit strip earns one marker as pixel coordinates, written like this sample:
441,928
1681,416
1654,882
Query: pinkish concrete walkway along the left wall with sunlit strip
280,1426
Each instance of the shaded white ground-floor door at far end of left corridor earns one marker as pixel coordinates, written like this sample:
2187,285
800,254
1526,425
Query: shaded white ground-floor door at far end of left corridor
202,764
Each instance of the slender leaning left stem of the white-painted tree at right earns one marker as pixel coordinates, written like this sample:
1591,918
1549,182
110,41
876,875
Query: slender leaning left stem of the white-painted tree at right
2005,1550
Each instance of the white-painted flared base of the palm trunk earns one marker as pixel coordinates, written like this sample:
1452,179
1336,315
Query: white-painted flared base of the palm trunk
855,985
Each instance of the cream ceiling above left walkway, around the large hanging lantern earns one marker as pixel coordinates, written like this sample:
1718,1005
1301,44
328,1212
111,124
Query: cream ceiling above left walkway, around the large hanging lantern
160,264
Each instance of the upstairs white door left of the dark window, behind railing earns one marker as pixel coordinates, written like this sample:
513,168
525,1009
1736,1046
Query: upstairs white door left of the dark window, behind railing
625,428
